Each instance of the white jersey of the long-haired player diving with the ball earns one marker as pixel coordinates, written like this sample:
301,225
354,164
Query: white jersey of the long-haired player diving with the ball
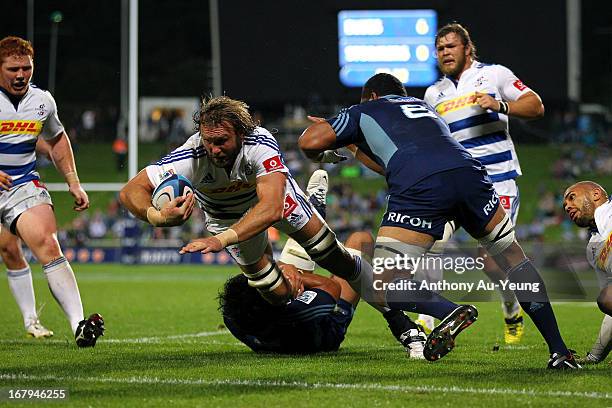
219,195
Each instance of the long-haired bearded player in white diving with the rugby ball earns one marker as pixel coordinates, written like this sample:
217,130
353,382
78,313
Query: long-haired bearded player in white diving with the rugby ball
243,186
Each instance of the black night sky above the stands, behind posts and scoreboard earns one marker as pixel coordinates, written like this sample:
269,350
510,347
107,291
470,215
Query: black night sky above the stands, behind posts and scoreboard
278,52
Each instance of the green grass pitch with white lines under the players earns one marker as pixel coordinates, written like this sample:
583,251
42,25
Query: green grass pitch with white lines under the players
165,346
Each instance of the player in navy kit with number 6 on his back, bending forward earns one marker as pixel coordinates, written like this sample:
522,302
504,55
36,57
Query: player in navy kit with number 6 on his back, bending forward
432,179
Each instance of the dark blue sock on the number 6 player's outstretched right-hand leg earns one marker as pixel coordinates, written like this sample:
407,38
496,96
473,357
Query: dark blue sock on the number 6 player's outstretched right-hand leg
537,304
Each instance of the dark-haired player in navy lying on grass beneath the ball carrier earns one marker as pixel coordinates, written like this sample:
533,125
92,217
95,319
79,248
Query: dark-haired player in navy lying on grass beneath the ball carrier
315,321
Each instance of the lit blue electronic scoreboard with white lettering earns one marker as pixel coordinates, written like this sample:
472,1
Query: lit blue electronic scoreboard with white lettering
398,42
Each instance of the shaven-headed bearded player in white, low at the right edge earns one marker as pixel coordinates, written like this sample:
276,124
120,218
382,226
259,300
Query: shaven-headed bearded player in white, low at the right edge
589,206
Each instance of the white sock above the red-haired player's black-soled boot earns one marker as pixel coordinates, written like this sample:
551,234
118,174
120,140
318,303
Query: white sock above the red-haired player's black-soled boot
65,290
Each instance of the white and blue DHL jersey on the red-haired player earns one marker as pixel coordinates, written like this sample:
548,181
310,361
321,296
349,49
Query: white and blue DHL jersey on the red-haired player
20,125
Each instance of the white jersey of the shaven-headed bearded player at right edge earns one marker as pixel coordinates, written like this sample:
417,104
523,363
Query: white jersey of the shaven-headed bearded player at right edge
599,247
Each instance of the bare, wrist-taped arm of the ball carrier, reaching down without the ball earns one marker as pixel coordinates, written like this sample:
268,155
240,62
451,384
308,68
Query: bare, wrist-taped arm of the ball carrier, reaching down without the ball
269,210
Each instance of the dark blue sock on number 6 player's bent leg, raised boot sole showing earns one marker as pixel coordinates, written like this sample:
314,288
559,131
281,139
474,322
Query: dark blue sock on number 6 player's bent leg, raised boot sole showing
420,301
